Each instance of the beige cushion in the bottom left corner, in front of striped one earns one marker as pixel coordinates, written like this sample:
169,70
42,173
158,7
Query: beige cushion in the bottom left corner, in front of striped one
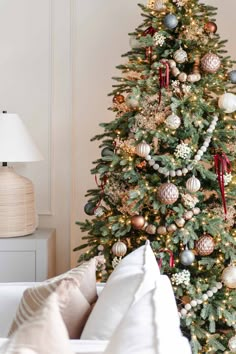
43,333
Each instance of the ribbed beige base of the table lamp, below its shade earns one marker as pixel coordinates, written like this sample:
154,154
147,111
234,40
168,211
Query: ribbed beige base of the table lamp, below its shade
17,204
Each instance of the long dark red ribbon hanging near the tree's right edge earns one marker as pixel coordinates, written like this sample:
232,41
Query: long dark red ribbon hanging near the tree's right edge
222,165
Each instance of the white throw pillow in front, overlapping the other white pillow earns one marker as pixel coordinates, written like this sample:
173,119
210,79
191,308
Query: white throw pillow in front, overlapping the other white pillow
151,325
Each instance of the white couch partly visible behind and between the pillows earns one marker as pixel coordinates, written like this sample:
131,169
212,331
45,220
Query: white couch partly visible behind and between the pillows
10,295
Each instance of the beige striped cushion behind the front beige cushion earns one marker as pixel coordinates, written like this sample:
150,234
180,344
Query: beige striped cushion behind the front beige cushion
76,297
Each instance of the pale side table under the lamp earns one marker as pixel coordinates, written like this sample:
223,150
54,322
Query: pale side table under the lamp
28,258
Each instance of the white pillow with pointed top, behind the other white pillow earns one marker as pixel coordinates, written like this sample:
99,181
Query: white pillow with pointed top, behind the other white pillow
132,278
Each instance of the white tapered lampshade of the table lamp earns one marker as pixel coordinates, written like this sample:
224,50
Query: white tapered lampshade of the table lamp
16,145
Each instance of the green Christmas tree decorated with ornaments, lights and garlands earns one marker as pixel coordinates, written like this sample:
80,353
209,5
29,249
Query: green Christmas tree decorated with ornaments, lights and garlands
165,167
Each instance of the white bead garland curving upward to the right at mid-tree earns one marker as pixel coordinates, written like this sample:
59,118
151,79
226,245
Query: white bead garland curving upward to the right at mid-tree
183,171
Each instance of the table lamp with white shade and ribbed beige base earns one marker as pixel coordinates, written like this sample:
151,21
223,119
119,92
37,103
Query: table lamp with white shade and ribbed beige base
17,201
